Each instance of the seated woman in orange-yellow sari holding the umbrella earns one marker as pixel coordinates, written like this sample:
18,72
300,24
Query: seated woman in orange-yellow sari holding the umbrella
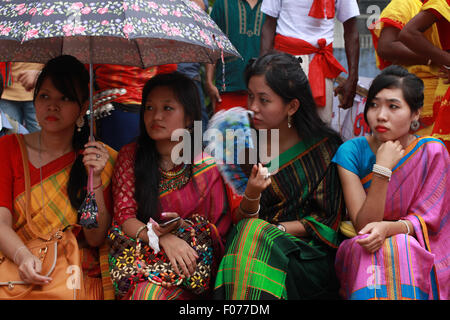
58,159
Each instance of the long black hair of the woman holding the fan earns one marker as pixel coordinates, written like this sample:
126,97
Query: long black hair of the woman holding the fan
284,75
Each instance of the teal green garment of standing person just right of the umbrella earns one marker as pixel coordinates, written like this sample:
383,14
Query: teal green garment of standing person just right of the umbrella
242,25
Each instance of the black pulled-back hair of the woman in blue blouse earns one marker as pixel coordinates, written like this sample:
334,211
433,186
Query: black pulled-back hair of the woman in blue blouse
397,77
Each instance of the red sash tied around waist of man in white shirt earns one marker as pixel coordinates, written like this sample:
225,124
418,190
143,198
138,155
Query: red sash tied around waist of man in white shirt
323,65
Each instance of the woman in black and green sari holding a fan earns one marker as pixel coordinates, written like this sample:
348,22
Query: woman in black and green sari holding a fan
285,243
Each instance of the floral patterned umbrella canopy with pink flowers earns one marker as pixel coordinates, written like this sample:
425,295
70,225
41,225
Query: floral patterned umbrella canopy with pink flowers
137,33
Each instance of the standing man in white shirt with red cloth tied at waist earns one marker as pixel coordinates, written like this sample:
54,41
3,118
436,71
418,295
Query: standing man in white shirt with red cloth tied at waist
305,28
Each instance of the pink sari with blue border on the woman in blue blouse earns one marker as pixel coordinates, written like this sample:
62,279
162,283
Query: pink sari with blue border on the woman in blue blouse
406,267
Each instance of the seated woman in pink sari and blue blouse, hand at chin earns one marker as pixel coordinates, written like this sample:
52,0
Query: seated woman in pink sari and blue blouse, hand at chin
395,187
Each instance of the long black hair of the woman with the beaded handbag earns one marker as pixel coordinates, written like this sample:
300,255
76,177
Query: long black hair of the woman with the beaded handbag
146,165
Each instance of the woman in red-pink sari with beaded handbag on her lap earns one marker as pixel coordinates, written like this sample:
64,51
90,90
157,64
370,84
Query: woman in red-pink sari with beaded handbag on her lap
147,184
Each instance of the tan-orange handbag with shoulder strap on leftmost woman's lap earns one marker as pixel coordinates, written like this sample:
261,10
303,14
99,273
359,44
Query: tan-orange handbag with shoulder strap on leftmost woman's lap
54,264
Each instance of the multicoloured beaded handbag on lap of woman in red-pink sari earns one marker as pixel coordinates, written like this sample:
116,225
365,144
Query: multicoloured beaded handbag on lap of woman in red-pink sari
132,261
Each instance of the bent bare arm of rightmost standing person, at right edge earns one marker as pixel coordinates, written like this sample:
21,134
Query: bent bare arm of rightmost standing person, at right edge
412,36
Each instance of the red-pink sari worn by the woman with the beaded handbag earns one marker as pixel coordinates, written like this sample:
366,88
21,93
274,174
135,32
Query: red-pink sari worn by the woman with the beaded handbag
205,194
